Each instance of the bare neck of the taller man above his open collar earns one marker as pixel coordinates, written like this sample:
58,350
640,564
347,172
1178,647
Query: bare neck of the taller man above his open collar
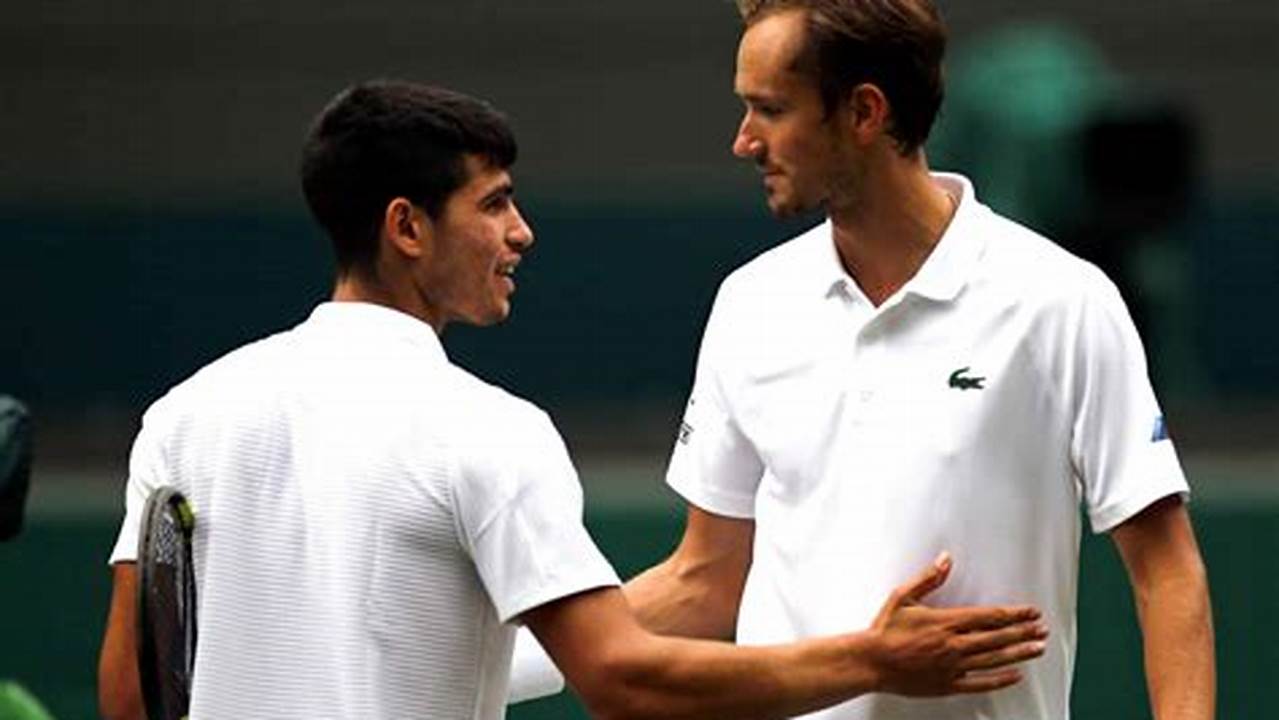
887,232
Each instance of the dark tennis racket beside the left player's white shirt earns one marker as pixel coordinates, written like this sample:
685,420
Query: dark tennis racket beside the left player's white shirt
167,606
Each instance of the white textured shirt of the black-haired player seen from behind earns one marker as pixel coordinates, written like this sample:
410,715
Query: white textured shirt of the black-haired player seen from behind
370,522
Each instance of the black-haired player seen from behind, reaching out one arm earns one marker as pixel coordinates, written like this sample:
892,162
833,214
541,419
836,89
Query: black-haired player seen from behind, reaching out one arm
372,520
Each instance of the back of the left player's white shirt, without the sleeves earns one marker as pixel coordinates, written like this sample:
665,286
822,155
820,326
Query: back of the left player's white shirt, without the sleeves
333,579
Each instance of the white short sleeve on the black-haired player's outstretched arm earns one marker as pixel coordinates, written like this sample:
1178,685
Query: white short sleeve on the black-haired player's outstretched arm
520,506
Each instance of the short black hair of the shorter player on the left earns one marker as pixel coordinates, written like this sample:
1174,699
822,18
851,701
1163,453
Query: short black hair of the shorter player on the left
383,140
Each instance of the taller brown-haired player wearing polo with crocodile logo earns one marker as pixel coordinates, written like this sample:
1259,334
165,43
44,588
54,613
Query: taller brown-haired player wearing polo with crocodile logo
915,373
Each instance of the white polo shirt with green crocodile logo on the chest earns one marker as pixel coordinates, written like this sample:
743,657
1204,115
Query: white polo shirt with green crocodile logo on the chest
974,411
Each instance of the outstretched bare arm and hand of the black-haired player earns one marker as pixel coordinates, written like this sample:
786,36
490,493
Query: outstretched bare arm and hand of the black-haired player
622,671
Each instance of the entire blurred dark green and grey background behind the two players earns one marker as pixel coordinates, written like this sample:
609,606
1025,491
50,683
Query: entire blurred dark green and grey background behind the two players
150,221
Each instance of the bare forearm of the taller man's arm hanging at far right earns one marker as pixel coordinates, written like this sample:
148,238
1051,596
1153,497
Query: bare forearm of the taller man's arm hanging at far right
1177,630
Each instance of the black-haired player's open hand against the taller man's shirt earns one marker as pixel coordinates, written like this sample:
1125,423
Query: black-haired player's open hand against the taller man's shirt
934,652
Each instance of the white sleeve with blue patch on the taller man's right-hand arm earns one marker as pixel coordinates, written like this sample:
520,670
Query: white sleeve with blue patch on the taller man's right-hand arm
1121,448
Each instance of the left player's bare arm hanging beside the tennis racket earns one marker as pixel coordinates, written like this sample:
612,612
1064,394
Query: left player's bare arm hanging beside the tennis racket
120,694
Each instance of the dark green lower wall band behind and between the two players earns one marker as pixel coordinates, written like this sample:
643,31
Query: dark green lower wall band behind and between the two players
56,586
